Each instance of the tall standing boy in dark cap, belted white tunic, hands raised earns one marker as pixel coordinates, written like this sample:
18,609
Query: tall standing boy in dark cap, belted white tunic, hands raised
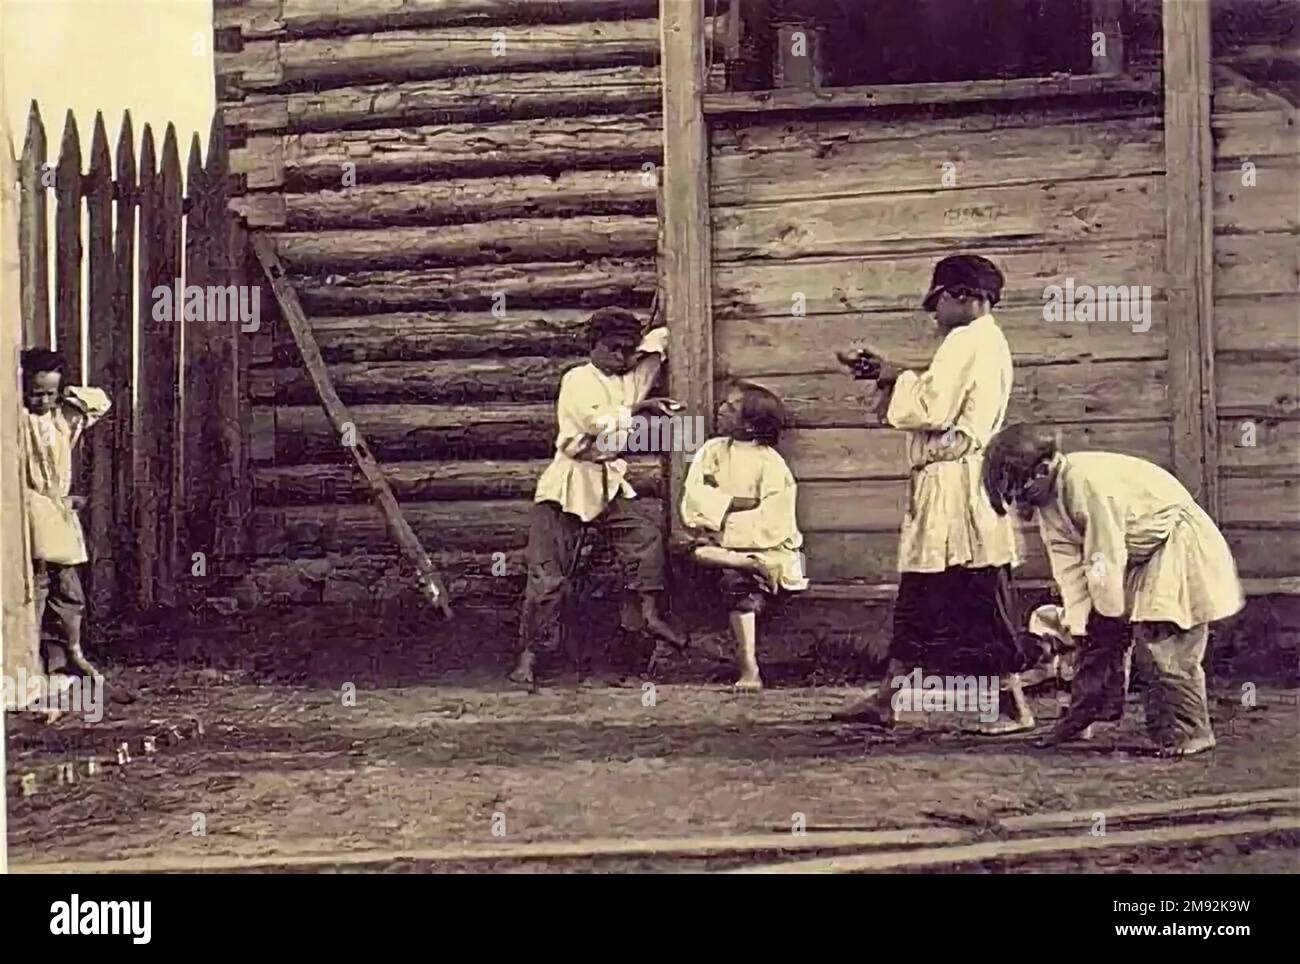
955,610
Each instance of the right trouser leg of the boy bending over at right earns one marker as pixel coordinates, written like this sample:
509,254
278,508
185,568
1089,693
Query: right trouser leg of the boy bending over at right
1176,701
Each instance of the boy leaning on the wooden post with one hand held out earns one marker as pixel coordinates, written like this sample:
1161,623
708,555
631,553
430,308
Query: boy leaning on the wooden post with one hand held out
587,484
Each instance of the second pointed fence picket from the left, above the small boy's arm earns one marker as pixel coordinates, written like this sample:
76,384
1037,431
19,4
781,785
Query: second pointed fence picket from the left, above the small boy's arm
68,254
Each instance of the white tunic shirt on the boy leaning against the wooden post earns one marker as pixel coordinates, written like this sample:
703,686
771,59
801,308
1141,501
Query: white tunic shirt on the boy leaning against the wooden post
593,415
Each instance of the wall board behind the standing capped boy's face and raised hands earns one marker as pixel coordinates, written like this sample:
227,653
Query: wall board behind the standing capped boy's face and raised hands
760,346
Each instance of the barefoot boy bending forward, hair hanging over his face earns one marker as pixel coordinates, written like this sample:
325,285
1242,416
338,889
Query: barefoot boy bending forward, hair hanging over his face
1142,571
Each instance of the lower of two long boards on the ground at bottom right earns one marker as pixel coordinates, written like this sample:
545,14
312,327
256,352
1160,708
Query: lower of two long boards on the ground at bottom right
1030,849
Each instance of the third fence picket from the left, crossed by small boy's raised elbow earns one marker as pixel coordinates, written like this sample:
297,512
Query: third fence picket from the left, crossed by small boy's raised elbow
98,446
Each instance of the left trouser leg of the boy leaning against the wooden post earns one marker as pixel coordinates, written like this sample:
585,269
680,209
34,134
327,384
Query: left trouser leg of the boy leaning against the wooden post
553,544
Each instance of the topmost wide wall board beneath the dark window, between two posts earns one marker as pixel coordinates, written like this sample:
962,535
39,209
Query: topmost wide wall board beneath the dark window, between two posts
786,163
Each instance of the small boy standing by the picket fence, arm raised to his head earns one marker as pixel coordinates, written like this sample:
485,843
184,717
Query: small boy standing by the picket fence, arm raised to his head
57,419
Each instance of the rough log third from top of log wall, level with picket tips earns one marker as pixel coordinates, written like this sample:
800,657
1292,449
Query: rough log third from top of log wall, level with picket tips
452,99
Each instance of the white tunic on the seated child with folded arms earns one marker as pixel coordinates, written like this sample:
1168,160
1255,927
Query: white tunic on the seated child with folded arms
748,471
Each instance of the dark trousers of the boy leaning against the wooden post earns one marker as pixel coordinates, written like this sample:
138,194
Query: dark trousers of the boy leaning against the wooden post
554,545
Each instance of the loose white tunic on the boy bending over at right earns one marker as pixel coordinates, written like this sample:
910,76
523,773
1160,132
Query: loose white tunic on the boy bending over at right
1128,540
